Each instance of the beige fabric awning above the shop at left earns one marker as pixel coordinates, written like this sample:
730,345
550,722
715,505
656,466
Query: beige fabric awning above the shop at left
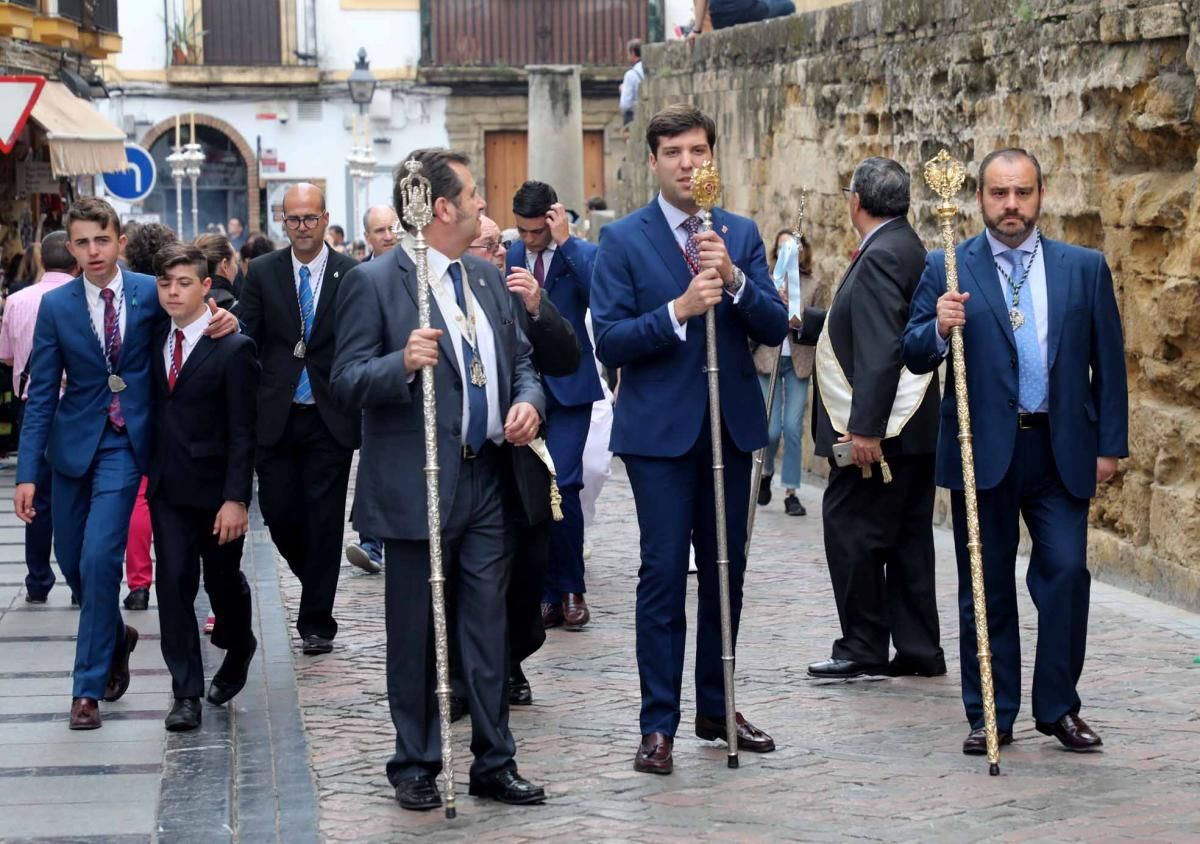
82,141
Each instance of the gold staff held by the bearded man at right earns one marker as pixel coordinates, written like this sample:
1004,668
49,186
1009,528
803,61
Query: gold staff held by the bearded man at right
946,176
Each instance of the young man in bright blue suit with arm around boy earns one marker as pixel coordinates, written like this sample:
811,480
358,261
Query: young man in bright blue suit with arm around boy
99,331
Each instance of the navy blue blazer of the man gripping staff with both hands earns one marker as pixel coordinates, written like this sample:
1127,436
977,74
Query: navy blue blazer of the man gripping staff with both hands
664,384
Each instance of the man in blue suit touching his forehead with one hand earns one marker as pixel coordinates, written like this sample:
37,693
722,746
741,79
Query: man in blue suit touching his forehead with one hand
549,260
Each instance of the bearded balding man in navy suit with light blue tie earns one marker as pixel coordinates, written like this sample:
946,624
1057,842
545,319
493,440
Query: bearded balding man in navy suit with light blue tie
1049,412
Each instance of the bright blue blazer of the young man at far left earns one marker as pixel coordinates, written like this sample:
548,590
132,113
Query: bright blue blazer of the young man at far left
67,432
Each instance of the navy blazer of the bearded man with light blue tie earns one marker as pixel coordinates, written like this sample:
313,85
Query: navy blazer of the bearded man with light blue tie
1089,394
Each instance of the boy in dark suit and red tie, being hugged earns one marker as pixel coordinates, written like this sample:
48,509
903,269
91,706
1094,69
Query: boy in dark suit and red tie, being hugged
201,484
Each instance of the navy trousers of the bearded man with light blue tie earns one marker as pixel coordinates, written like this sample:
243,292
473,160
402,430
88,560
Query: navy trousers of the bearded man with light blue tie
1058,579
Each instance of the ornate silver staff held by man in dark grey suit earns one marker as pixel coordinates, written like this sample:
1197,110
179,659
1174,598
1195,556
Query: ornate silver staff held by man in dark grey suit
418,213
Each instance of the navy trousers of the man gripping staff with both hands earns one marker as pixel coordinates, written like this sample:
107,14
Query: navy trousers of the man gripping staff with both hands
675,508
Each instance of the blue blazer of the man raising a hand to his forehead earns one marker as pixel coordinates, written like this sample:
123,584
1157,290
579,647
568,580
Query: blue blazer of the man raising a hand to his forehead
568,284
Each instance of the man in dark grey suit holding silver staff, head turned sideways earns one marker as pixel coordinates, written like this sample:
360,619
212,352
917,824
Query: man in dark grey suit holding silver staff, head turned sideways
488,394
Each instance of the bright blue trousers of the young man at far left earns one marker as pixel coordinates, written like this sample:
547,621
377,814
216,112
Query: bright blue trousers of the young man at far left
92,517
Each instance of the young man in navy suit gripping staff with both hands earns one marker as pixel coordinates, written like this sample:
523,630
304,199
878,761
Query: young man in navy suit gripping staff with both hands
657,276
